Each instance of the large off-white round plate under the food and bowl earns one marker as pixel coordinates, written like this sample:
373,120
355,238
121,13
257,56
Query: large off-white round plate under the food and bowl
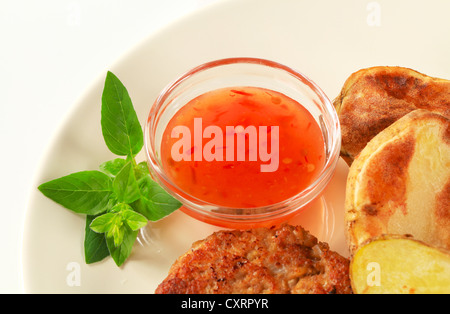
325,40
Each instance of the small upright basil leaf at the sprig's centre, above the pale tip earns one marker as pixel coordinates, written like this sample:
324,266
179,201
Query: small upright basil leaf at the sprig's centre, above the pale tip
125,185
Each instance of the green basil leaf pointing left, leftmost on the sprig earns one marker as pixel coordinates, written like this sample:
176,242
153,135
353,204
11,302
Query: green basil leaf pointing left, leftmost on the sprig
85,192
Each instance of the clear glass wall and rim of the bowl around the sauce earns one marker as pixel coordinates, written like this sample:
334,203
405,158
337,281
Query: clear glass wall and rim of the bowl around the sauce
251,72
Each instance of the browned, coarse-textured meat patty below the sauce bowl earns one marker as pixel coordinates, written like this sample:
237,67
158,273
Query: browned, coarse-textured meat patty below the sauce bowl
265,260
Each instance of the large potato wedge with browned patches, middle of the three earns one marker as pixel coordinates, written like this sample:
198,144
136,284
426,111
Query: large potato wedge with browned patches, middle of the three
400,183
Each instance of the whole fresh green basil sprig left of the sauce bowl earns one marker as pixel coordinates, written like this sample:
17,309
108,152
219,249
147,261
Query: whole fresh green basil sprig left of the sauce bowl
119,199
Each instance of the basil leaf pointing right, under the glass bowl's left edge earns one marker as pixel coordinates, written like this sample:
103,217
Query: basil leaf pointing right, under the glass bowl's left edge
155,203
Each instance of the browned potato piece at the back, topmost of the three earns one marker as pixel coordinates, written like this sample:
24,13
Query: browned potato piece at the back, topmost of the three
373,98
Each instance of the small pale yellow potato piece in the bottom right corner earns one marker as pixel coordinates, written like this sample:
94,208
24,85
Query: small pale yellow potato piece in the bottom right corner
393,265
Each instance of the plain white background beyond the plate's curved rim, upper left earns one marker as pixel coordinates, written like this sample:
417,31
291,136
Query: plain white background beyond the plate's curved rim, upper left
50,52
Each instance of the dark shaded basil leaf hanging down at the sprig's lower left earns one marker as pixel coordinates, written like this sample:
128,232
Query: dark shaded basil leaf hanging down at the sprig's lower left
95,248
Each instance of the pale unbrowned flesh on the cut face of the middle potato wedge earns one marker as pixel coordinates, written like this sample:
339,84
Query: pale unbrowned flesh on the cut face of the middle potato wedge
428,175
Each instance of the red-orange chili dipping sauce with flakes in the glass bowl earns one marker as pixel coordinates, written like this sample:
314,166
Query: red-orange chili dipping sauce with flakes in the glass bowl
242,147
